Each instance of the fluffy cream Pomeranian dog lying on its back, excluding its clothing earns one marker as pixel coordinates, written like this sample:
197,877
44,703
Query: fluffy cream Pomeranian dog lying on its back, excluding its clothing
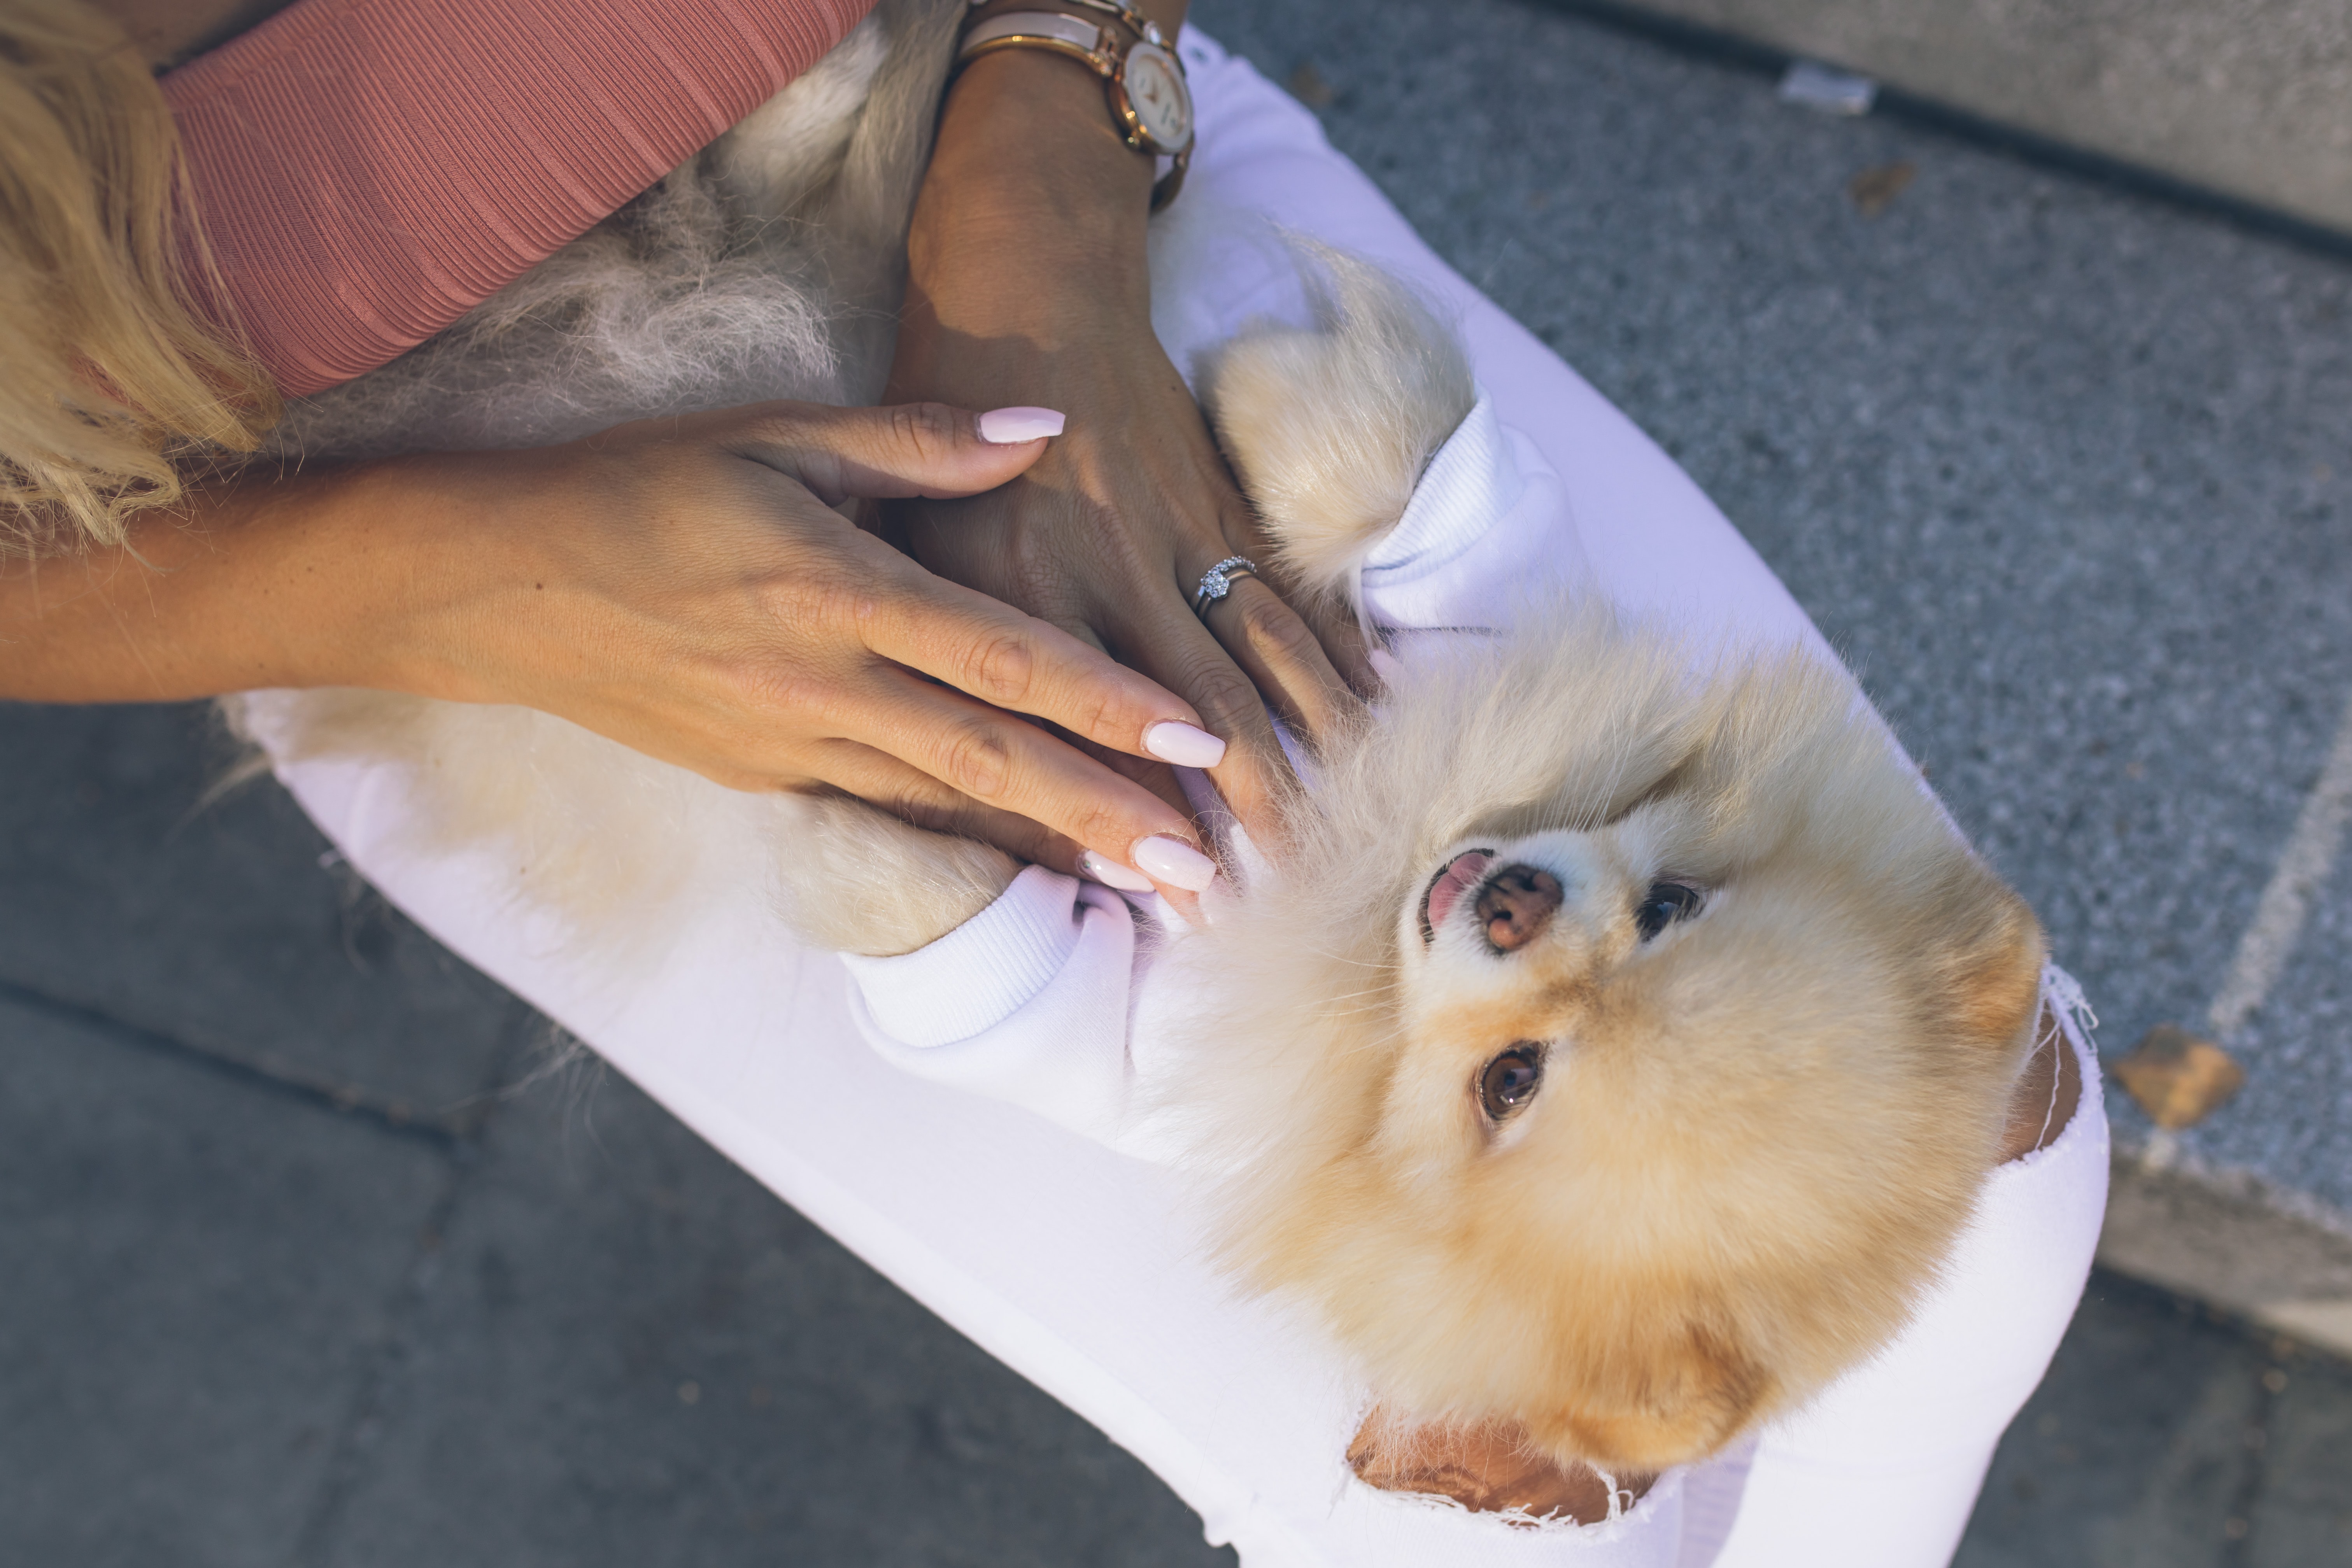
1617,1043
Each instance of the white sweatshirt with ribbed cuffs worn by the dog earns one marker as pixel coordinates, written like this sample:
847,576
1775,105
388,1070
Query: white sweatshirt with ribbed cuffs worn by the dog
1048,998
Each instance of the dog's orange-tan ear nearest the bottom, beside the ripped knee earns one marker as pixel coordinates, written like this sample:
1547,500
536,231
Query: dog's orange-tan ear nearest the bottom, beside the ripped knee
1688,1395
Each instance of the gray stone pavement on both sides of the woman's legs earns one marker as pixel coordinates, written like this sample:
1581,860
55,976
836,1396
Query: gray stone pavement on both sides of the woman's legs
300,1278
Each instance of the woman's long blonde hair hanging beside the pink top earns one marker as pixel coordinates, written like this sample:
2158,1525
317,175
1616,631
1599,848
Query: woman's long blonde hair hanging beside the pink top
112,377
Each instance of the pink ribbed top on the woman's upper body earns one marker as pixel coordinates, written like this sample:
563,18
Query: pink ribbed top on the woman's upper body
370,170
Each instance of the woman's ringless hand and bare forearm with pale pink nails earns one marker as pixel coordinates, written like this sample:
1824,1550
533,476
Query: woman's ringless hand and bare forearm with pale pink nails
681,587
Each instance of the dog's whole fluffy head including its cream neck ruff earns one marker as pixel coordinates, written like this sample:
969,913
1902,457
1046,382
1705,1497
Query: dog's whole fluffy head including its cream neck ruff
1638,1108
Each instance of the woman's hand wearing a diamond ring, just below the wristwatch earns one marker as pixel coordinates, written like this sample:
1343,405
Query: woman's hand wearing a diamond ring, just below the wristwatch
1029,272
